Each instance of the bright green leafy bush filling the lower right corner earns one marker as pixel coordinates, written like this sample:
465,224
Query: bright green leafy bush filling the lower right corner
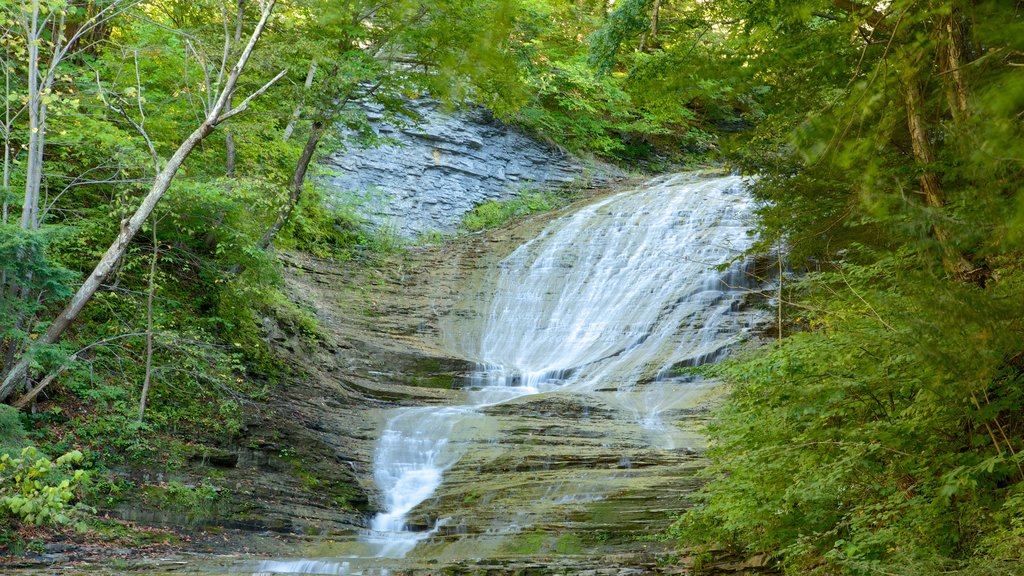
884,437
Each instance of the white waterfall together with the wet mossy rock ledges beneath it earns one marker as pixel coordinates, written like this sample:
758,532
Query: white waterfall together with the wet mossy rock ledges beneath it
577,434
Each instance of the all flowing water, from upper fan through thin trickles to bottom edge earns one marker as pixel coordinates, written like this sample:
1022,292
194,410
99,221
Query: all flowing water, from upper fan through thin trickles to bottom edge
609,304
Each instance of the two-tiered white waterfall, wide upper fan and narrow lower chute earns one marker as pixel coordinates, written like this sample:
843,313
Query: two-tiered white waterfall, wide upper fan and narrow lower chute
614,297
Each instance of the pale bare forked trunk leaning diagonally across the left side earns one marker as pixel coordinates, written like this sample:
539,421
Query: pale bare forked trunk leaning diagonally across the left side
132,226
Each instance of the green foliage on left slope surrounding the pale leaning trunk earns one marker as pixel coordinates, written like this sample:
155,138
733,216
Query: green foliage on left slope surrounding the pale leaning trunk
122,100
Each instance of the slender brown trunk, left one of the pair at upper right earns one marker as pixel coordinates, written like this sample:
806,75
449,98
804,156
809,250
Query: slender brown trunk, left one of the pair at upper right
953,260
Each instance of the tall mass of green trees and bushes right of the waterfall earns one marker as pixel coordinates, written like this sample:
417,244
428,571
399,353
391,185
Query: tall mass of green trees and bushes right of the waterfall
883,435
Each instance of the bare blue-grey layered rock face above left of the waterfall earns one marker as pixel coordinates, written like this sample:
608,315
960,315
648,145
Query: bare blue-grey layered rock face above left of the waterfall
435,172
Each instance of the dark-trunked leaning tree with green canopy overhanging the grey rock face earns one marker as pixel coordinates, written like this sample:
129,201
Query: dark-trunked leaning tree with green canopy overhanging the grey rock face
369,54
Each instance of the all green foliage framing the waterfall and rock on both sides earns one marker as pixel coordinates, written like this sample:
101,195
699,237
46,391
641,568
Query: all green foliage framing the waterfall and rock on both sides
882,435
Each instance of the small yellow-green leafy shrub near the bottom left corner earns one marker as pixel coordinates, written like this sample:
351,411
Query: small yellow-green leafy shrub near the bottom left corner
36,490
